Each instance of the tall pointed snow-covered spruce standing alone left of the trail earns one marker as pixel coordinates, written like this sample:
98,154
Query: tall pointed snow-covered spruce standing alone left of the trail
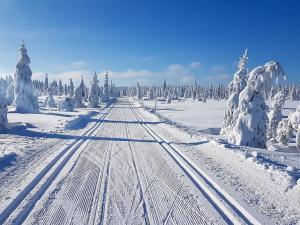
25,100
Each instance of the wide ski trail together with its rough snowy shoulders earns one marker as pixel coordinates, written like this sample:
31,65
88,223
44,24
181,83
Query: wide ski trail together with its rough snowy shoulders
128,167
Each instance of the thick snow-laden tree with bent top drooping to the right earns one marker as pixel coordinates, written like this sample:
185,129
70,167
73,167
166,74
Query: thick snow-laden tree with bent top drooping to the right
251,125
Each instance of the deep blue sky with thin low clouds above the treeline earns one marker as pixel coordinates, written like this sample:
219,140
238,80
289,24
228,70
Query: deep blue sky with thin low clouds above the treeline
139,40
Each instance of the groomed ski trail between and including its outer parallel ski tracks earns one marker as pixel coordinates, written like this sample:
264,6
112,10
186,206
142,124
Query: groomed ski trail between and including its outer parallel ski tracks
124,173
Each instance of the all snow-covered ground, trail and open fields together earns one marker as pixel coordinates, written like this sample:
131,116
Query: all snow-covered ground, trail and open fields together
125,165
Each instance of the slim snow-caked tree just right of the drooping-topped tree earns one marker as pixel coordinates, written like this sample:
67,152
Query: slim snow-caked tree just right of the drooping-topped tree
275,115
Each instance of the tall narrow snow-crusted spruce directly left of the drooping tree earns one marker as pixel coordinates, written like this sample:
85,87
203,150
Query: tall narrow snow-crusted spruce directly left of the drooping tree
234,88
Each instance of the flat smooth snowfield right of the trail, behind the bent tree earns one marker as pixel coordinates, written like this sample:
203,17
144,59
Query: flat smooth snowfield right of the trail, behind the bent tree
203,117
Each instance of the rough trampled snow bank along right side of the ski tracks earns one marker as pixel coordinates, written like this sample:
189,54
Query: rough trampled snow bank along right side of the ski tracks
256,179
